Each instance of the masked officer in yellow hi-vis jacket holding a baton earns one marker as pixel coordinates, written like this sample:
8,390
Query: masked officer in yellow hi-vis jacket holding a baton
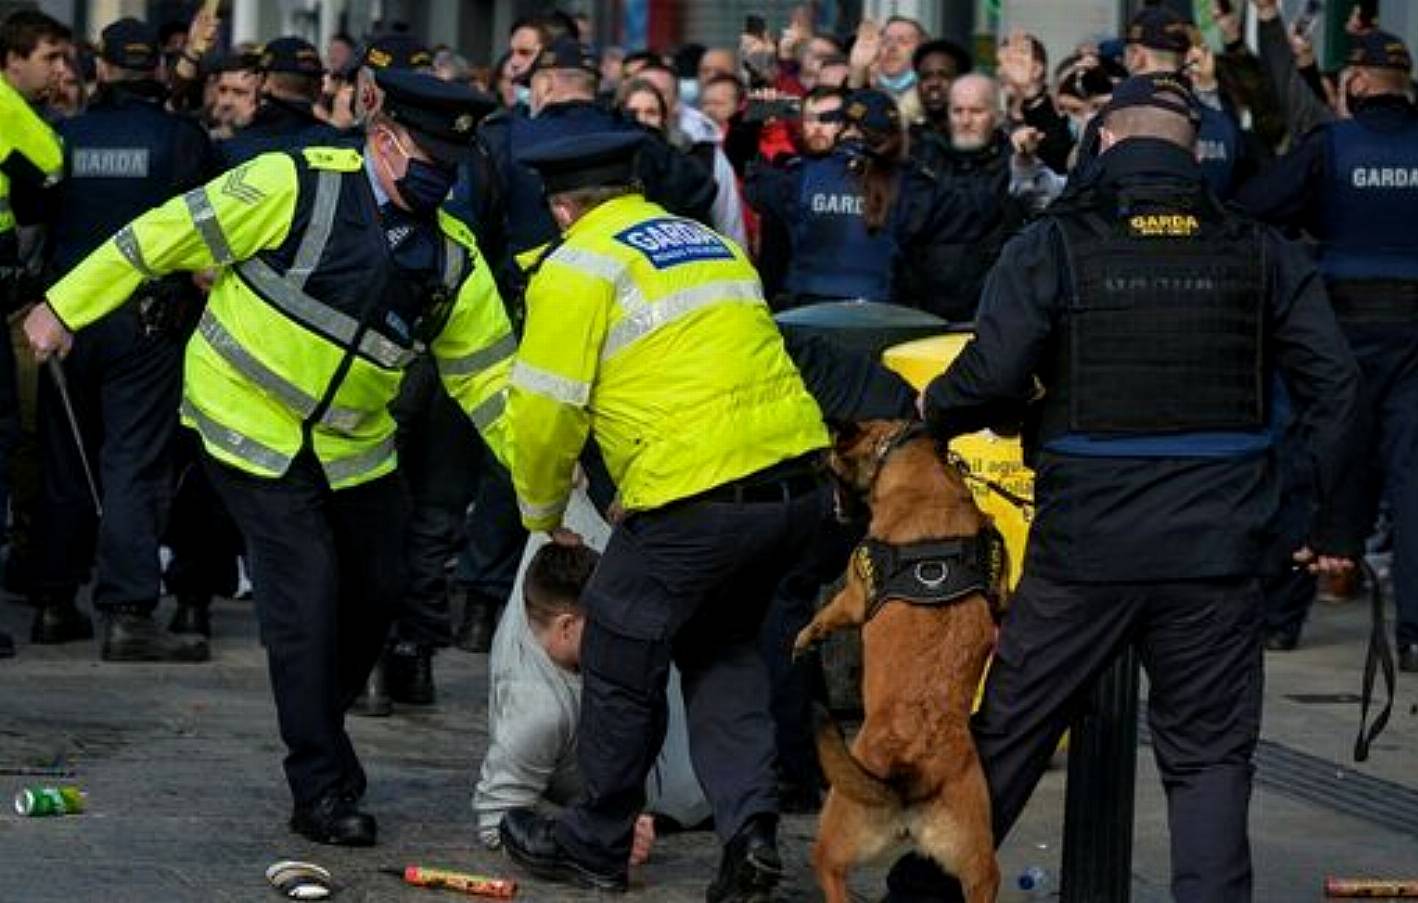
337,269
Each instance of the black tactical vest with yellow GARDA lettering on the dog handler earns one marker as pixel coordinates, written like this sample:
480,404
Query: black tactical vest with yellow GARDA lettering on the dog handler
1165,322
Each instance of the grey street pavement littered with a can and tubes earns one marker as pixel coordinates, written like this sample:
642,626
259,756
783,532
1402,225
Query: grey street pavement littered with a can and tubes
186,802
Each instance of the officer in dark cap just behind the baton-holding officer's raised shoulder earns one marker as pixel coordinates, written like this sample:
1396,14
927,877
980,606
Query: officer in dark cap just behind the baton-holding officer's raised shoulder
291,84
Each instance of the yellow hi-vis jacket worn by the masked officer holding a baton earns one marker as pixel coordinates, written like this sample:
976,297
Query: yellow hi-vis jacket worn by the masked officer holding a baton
308,324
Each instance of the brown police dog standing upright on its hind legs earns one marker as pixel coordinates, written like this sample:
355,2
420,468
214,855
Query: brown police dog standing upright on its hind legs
912,779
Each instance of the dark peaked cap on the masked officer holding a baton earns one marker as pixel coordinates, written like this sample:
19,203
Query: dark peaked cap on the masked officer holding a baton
440,116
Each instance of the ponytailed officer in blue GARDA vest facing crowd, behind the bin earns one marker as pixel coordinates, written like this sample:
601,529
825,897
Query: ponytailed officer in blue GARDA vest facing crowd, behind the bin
837,253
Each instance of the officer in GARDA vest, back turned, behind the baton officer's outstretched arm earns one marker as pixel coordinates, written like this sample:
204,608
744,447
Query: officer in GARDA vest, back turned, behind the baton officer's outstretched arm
123,157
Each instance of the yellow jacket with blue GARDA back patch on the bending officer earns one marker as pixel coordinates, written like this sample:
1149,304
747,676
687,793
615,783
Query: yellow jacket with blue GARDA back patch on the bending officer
650,332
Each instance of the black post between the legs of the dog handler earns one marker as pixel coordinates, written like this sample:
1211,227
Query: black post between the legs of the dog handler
1102,769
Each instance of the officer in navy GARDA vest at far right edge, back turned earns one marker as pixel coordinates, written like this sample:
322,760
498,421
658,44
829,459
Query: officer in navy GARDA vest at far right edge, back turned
1353,185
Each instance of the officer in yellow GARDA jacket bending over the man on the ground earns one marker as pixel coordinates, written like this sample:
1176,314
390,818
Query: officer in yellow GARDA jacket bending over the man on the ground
650,332
